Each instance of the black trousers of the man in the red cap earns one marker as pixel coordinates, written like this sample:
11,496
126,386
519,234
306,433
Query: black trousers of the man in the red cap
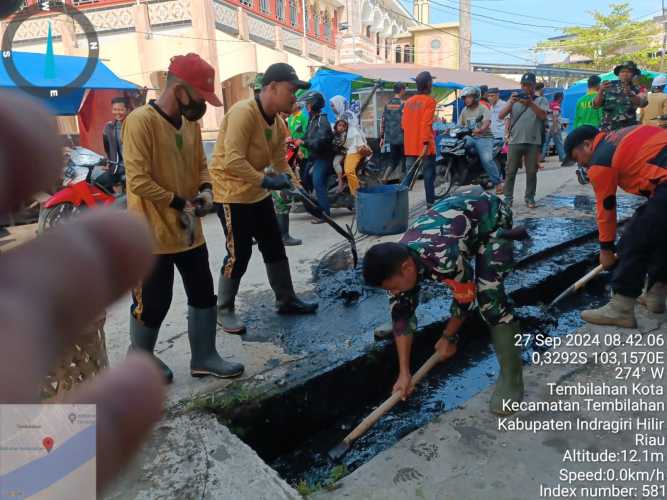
152,298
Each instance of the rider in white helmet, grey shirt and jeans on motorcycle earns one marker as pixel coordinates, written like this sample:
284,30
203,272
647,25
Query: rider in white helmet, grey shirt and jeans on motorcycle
478,118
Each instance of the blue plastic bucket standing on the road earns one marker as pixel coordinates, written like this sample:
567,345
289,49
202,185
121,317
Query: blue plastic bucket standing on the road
383,210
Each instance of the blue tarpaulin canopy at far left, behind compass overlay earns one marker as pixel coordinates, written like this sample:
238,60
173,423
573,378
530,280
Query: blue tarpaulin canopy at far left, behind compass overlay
61,72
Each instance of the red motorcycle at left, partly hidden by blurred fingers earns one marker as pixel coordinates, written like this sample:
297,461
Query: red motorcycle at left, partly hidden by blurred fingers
84,186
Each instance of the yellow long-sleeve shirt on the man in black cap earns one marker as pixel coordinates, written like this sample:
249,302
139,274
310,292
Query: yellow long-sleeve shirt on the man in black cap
246,145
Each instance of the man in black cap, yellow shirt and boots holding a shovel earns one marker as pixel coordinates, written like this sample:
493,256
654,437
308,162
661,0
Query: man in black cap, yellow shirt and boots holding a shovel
251,139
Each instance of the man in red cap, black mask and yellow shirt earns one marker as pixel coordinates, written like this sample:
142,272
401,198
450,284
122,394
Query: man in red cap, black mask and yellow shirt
167,179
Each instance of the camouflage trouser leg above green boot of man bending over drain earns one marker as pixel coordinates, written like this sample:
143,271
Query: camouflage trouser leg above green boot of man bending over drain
492,263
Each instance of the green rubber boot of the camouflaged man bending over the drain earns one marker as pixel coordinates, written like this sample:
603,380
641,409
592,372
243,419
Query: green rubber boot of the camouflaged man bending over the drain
509,385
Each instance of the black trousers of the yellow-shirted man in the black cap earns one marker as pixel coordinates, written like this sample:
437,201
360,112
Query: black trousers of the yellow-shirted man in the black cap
242,222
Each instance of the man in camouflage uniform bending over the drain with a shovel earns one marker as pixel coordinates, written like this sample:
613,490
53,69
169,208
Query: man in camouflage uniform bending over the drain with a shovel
463,241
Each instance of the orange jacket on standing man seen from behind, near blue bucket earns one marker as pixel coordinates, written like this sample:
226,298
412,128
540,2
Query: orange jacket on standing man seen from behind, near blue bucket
417,123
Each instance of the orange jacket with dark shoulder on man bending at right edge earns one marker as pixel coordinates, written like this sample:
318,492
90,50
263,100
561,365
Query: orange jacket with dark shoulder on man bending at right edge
632,158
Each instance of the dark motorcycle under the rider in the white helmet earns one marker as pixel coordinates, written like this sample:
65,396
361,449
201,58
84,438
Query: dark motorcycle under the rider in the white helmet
460,164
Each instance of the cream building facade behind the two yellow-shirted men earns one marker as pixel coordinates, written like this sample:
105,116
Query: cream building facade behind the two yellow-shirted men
240,38
